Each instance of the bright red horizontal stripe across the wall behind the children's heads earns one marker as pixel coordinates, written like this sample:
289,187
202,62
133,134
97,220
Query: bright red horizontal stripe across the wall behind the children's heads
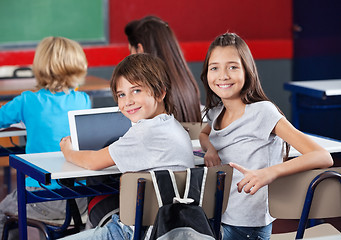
111,55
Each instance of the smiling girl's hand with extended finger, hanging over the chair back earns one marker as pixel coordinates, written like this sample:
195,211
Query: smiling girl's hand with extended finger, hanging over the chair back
253,179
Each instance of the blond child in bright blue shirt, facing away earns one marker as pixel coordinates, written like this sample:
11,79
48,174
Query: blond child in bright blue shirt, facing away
59,66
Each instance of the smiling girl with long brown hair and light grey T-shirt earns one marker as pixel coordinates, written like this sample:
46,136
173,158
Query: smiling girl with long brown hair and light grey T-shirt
246,130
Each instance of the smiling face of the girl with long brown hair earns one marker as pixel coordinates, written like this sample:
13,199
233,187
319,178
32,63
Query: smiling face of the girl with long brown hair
226,74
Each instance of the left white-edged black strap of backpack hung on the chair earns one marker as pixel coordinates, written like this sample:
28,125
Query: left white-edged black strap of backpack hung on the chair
165,186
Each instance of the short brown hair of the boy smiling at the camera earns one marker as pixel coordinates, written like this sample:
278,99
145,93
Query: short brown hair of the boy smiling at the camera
145,70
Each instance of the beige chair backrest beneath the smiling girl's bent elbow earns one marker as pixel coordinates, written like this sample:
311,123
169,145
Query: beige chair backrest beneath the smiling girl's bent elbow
287,195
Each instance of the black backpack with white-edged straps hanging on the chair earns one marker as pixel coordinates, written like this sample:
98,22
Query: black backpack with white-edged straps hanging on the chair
180,218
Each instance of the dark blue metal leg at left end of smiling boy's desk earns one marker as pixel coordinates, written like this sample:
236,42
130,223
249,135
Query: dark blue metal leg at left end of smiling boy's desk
22,214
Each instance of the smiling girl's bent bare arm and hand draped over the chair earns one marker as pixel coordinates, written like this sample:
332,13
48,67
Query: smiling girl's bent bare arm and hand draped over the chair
313,156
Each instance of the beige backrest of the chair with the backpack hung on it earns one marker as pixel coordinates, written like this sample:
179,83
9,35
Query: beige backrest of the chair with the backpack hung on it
128,192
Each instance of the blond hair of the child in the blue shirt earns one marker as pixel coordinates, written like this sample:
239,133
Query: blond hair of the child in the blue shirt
59,64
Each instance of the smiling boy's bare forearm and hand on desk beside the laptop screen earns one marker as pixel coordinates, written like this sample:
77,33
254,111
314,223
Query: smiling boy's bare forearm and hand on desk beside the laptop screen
92,160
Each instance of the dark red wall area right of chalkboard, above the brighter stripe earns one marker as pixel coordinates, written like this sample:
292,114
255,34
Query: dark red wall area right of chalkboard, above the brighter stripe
202,20
